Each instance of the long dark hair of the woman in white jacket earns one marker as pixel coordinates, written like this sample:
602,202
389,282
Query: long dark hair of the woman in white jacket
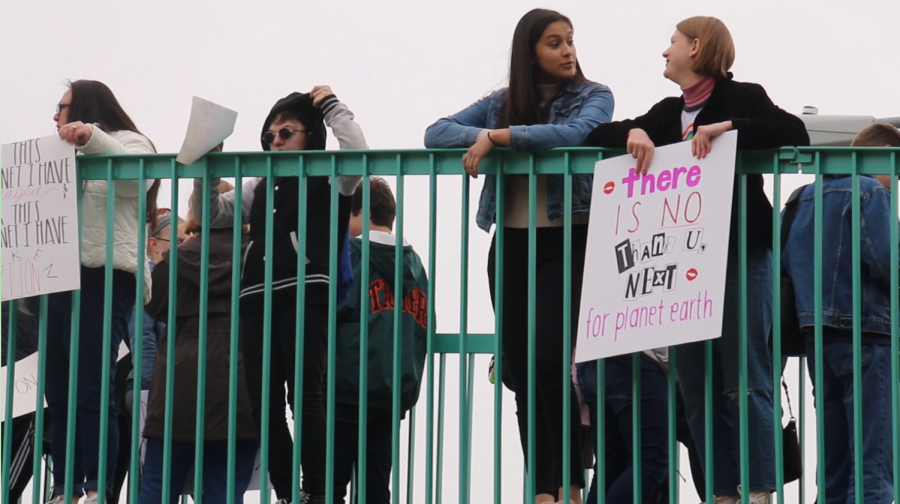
94,103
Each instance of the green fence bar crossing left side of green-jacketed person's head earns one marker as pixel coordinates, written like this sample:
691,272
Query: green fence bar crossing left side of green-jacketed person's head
361,463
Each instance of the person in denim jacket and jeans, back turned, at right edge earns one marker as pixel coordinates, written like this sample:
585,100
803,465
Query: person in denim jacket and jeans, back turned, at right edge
875,222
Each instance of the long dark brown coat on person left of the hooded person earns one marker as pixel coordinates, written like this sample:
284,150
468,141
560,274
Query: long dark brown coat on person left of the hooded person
187,346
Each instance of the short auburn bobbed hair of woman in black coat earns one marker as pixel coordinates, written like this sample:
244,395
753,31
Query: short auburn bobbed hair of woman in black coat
716,45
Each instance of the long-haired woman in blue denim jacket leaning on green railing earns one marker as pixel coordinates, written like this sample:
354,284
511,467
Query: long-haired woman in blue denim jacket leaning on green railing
549,103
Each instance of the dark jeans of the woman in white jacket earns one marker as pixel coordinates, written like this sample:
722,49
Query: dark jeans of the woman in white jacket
90,365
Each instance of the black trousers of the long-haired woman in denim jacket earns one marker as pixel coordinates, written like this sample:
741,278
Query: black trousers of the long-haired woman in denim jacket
551,362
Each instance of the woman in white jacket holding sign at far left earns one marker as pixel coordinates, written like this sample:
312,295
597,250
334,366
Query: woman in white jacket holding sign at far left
90,118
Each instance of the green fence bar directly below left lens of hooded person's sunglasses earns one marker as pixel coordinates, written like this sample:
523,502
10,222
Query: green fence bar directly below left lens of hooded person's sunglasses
265,493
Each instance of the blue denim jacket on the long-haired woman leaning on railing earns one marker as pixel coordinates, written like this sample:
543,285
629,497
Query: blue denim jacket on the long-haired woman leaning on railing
576,112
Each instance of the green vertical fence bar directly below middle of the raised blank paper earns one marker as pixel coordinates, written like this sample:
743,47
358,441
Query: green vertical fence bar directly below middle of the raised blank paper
201,355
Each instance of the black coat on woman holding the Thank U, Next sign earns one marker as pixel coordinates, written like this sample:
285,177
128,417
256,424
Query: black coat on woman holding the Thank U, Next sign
760,125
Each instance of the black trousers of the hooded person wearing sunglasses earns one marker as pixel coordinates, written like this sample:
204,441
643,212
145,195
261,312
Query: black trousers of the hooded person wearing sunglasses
281,370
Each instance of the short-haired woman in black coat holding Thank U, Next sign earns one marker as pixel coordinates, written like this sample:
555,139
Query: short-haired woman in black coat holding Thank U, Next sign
698,60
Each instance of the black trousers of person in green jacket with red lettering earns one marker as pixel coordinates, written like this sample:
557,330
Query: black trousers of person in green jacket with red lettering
378,452
